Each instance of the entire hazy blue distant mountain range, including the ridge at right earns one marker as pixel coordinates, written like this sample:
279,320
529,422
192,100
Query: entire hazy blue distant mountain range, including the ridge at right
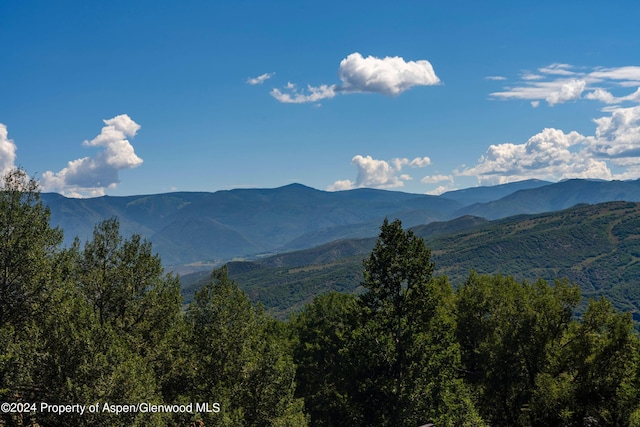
200,230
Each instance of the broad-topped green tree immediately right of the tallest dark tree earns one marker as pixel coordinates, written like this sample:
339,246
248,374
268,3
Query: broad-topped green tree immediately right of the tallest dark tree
505,330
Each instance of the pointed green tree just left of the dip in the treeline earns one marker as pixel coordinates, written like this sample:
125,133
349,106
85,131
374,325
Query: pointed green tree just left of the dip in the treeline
240,357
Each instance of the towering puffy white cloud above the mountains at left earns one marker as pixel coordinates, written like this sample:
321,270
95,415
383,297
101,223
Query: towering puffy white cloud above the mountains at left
90,176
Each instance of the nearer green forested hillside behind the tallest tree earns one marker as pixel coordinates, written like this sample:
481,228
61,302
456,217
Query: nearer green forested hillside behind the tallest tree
595,246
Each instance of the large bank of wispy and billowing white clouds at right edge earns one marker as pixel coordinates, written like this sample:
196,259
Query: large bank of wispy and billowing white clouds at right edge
612,152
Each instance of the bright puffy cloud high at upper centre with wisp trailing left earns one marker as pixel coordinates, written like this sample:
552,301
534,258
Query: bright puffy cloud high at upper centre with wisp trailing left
388,76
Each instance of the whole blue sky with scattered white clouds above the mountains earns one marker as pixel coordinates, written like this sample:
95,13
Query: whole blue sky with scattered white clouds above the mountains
144,97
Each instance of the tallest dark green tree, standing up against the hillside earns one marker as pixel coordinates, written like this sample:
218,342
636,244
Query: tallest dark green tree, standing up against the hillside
404,348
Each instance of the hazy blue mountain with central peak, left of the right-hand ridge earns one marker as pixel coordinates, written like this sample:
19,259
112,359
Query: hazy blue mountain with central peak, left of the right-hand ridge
212,227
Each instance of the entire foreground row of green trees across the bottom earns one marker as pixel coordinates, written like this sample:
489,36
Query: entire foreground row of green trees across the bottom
100,322
